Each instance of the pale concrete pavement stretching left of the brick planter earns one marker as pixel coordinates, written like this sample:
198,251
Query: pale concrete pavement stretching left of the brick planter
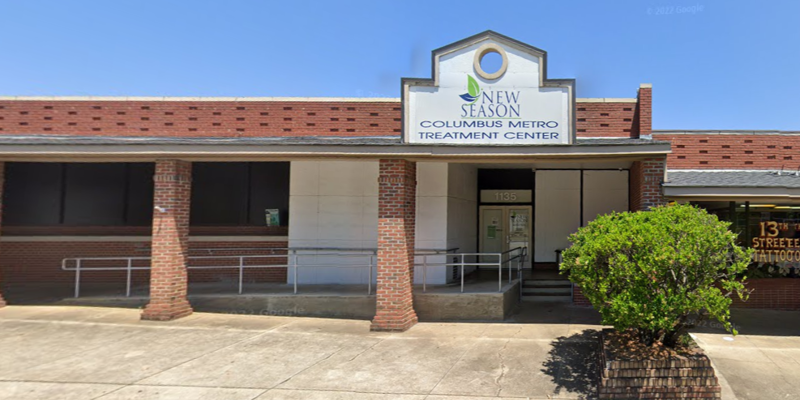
106,353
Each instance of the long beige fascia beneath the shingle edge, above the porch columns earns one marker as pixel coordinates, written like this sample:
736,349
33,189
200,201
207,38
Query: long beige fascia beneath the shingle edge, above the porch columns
228,151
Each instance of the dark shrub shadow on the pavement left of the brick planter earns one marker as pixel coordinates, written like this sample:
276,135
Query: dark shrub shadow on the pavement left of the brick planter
574,364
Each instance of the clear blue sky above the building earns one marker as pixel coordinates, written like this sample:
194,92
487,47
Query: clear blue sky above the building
719,65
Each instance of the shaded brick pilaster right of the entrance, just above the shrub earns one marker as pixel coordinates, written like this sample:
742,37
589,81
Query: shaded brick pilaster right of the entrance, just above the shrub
645,183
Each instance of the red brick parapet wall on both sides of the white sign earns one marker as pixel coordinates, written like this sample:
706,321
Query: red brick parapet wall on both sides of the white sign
254,119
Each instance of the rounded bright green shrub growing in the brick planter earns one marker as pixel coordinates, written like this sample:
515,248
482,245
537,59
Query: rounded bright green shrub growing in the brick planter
658,271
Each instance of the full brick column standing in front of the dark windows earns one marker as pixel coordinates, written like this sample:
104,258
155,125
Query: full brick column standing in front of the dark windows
170,242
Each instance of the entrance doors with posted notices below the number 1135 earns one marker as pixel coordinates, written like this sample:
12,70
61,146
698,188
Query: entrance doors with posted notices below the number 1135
504,228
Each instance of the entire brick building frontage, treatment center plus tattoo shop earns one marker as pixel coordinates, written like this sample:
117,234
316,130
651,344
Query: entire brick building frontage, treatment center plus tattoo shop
467,173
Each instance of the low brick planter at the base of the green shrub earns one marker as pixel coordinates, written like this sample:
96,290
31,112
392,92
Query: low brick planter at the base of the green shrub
676,377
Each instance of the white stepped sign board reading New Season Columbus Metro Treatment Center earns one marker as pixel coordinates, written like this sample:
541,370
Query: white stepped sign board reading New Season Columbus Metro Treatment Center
462,106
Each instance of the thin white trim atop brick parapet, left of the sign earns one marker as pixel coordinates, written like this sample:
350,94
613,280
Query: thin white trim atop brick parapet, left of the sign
208,99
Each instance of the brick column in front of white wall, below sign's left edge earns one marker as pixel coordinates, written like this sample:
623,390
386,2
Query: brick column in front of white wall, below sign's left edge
396,222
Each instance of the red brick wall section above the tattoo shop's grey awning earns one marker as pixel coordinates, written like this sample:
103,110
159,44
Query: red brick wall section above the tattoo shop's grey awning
703,151
